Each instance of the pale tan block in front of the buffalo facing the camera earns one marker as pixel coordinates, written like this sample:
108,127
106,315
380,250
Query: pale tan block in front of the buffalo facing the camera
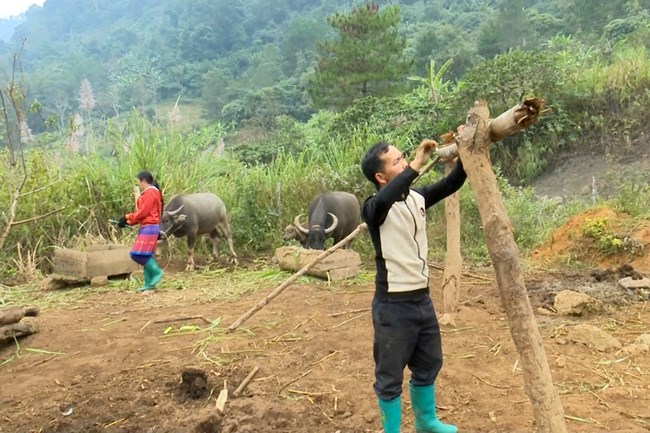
340,265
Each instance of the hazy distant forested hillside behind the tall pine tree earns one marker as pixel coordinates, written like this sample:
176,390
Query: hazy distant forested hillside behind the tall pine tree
231,54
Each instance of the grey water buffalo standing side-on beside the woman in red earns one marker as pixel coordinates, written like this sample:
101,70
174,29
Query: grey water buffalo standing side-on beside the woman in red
196,214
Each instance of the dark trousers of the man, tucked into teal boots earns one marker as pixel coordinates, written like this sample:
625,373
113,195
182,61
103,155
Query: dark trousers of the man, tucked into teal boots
406,334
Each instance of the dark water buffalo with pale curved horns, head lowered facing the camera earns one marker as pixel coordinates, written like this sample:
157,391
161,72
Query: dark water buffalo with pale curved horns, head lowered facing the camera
331,214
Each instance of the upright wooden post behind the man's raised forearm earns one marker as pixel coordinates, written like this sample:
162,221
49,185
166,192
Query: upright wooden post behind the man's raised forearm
453,258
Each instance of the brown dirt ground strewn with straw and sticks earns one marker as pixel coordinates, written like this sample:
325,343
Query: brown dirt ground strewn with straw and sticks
102,363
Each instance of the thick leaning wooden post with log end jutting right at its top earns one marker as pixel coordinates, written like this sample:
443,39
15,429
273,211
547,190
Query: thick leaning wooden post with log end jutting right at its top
474,143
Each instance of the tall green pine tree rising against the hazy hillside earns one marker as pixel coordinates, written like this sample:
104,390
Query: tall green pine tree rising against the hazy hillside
365,59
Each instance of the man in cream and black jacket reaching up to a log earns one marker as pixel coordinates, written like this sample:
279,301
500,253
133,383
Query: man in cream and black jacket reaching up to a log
406,331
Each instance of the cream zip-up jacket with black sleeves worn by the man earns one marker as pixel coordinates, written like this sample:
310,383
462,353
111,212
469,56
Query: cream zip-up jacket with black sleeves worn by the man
396,218
